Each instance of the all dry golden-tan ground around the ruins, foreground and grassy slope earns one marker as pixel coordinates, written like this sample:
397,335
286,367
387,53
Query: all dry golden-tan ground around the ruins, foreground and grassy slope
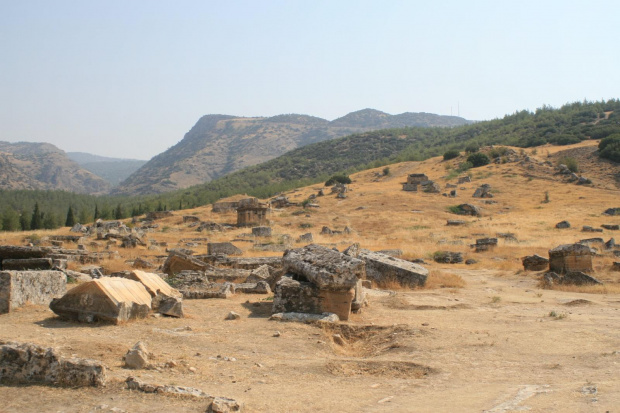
492,340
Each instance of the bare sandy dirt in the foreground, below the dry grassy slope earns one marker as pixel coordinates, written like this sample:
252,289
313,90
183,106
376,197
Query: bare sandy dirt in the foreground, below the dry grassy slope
491,346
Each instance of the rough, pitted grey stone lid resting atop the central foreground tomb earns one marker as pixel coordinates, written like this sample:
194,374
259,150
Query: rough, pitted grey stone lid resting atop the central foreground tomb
326,268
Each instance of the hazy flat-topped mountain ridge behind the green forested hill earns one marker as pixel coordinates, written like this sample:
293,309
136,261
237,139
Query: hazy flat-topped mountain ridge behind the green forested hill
220,144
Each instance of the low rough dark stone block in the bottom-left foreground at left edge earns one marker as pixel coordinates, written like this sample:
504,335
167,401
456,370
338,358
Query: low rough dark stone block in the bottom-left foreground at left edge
29,364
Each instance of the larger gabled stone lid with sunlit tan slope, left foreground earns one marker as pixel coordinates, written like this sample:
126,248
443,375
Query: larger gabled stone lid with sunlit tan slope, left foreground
108,299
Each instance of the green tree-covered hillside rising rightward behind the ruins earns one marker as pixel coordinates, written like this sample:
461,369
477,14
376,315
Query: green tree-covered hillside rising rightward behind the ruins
314,163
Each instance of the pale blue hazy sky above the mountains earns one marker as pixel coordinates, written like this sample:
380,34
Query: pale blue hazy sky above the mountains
130,78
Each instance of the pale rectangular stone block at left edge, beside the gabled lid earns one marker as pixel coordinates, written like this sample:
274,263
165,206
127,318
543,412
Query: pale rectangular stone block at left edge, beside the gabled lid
35,287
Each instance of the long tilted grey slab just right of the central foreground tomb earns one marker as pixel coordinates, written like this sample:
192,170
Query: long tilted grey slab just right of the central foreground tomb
384,269
